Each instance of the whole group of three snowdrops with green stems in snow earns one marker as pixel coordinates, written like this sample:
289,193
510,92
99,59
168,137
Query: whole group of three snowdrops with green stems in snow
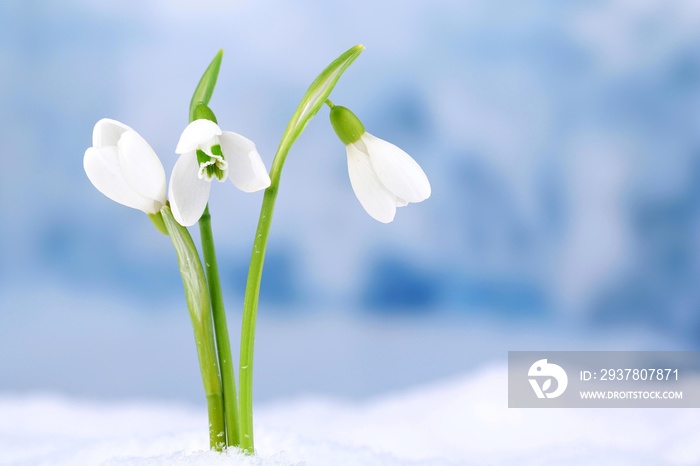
124,167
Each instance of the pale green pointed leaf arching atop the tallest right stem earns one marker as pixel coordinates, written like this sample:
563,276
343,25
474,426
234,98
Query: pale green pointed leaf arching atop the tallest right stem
315,97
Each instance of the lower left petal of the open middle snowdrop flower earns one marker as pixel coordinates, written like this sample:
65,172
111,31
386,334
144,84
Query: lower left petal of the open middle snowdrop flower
188,194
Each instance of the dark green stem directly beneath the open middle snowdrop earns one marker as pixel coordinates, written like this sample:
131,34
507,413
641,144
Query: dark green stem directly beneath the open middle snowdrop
223,342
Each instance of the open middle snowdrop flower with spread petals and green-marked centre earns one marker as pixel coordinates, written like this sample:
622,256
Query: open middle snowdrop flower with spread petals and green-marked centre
207,153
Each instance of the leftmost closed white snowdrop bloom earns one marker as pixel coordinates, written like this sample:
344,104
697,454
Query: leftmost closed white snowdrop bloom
124,167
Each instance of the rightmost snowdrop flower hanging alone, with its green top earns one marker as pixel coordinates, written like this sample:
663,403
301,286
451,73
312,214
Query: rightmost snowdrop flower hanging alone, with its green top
383,176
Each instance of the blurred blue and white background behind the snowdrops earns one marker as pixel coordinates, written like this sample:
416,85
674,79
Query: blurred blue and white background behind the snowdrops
562,141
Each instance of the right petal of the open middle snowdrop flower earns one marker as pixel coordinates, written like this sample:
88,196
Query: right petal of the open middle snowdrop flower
245,167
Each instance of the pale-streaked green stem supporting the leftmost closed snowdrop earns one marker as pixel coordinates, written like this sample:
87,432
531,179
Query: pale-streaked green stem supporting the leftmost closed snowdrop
199,308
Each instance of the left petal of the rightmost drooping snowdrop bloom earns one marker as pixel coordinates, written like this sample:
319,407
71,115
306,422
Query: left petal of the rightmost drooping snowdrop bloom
374,197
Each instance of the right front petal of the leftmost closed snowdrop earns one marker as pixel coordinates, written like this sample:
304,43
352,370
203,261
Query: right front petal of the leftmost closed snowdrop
141,166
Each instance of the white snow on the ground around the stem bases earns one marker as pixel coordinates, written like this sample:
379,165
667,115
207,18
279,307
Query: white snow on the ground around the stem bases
461,421
